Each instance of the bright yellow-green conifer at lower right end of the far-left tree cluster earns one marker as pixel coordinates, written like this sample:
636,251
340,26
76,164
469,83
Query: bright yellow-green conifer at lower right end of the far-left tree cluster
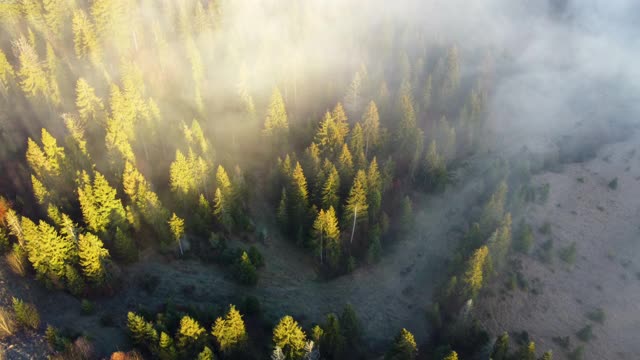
93,257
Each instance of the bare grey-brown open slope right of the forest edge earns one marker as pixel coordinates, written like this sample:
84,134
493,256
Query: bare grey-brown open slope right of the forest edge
605,224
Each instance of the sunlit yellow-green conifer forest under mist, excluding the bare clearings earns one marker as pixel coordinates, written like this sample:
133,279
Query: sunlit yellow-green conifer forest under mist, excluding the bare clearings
212,132
